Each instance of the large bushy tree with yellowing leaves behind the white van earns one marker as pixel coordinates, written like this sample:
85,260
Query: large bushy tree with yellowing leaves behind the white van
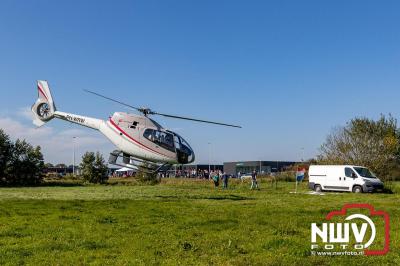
363,141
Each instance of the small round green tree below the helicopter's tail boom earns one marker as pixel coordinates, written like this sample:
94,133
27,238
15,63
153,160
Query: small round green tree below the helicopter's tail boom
93,167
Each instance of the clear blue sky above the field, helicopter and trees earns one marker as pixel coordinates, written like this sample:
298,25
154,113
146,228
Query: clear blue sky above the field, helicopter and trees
288,72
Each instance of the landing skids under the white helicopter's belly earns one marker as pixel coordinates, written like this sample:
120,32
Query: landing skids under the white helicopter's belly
134,163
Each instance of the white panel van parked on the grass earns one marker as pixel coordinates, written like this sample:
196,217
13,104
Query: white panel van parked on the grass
357,179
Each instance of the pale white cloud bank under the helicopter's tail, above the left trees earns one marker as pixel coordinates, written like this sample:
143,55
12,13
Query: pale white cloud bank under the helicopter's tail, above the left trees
57,145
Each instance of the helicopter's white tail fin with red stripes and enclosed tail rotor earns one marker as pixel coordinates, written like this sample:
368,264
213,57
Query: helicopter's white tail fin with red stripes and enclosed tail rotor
43,109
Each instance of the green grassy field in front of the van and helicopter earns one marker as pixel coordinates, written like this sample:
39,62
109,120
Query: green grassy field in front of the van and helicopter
176,222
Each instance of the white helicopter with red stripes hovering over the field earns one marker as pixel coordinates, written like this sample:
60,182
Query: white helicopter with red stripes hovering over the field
140,140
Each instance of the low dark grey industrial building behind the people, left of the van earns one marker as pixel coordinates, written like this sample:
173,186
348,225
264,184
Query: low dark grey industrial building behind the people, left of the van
265,167
